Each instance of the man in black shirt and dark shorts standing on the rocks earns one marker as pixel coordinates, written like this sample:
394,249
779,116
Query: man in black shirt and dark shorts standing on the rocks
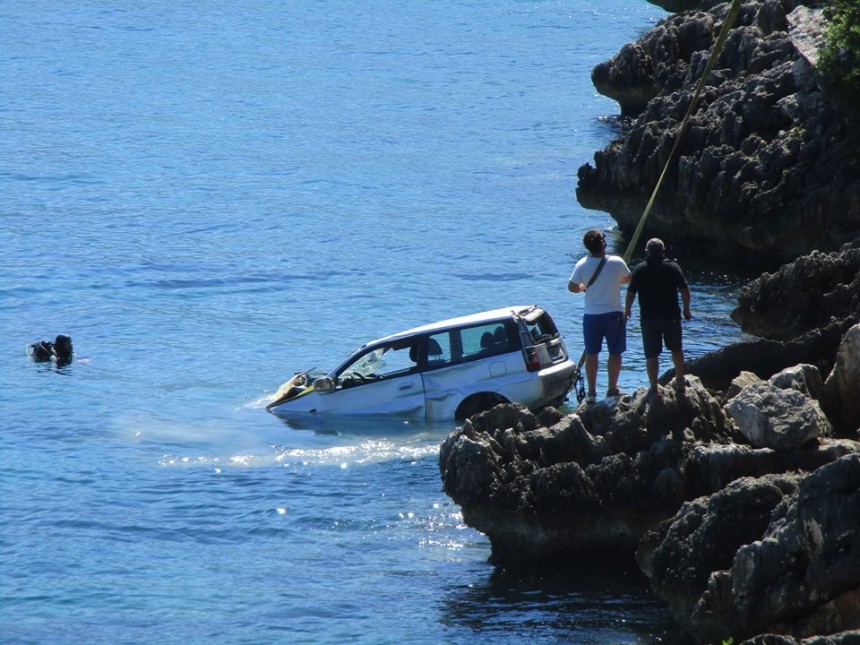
658,282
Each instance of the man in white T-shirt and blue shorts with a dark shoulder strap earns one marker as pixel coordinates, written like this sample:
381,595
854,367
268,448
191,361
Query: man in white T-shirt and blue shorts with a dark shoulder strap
600,277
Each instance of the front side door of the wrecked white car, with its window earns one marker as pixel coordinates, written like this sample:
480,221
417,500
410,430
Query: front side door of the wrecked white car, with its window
383,379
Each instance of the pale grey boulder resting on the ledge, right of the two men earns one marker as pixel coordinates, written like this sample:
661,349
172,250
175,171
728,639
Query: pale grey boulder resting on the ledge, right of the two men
770,417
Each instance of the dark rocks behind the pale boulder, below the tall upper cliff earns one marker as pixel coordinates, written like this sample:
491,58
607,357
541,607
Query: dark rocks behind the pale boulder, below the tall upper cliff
808,312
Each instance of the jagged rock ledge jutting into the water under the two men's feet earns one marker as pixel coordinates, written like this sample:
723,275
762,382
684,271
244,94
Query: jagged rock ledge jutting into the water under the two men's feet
599,479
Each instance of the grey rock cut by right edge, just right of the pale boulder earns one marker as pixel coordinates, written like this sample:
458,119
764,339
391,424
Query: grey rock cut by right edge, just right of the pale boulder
842,388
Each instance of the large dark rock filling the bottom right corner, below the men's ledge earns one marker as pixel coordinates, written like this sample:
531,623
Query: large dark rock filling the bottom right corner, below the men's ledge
776,554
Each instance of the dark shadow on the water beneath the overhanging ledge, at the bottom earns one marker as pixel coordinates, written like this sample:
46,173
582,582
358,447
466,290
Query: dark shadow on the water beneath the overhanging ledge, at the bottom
599,601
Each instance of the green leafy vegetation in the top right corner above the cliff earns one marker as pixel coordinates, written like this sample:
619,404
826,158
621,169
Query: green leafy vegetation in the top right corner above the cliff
840,58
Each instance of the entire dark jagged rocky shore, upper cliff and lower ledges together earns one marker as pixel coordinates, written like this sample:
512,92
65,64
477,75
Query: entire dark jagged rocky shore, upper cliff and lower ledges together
738,496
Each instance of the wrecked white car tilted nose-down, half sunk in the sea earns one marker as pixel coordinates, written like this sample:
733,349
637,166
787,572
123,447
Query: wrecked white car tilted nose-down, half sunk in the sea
450,369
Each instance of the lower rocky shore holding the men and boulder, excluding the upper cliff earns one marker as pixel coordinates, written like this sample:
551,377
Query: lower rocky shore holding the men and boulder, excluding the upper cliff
737,495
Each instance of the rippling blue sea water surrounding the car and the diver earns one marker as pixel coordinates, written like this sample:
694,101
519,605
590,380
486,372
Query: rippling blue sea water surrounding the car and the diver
208,197
